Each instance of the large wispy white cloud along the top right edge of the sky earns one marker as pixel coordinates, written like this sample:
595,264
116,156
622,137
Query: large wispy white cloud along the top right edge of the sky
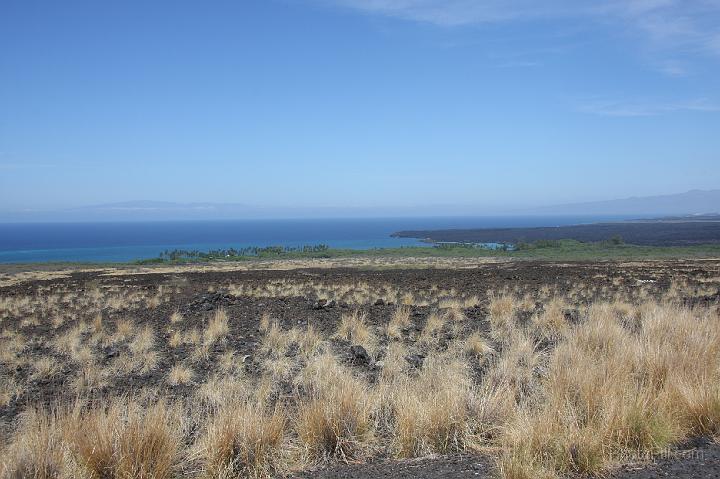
666,24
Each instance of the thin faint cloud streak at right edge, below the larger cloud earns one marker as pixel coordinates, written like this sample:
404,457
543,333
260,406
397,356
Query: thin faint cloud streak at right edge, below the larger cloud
637,109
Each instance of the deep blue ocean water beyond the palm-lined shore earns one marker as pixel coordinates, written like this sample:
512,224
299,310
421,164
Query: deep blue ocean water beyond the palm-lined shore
128,241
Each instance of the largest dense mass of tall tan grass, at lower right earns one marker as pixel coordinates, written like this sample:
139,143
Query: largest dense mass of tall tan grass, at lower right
612,394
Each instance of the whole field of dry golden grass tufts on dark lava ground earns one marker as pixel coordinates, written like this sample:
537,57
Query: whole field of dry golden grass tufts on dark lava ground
538,369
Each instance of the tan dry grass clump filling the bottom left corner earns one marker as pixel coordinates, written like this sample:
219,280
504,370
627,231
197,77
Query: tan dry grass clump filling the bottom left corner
120,441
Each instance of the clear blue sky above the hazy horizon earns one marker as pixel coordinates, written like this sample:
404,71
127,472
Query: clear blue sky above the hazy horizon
352,103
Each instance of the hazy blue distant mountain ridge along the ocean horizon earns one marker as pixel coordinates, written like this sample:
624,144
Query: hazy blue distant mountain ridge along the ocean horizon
693,202
